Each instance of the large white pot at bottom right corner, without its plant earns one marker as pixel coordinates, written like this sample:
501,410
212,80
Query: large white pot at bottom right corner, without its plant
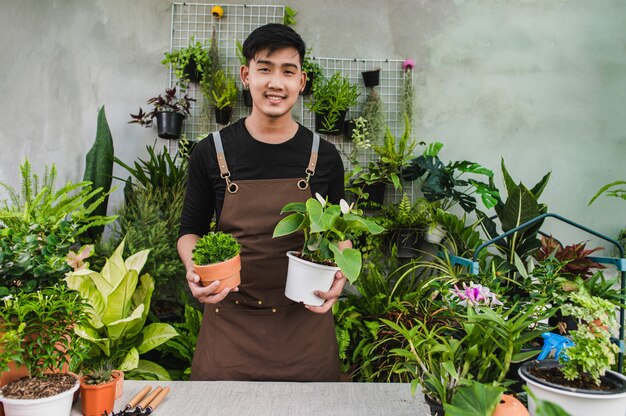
576,402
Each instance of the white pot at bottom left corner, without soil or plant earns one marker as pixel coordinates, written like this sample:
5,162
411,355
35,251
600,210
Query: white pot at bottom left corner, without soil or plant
57,405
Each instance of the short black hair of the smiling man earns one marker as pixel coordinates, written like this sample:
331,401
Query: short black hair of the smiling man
272,37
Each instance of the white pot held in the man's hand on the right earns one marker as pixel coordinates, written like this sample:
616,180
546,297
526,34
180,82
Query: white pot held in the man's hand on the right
305,277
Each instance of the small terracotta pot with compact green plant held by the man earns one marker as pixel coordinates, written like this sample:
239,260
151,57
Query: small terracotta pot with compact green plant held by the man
216,257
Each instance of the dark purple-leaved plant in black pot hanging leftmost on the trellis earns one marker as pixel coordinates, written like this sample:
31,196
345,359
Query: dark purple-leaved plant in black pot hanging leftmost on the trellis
169,111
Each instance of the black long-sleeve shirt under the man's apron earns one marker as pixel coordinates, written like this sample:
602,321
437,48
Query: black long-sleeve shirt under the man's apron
248,158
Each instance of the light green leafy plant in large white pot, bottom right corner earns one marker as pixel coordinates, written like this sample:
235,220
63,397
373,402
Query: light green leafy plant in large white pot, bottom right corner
581,381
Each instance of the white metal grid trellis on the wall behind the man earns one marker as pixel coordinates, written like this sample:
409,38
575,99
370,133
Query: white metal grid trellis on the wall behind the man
195,20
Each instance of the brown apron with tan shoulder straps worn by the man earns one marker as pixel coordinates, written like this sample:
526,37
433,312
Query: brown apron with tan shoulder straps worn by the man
257,333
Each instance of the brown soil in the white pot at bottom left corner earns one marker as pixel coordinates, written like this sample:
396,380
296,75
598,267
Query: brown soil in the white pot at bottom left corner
38,388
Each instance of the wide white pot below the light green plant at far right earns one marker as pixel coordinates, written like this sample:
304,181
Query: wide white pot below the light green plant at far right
575,401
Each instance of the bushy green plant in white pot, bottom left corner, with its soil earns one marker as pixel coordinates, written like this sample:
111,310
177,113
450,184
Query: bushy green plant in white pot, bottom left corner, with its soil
44,322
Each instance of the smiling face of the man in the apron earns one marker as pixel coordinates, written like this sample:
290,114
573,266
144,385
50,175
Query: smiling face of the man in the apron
275,81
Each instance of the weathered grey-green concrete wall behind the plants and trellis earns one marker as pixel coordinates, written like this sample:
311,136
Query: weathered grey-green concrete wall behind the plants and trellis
540,83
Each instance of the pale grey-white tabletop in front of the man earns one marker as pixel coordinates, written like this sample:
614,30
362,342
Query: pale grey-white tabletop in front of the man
270,398
